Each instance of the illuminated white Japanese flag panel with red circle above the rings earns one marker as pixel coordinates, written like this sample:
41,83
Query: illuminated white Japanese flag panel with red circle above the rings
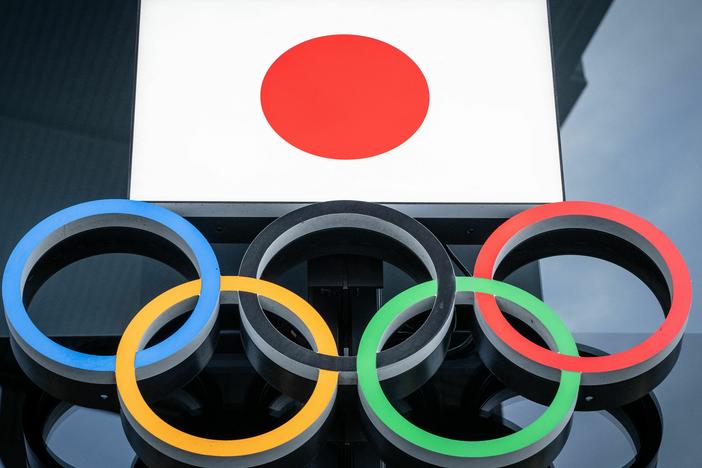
382,100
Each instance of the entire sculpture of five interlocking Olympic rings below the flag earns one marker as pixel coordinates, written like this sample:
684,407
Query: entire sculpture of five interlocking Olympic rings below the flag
606,382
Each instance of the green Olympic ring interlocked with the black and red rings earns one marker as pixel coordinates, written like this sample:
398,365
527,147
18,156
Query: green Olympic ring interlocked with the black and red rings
442,451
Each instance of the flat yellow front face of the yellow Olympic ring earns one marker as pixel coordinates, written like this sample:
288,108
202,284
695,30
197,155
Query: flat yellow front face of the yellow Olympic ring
136,336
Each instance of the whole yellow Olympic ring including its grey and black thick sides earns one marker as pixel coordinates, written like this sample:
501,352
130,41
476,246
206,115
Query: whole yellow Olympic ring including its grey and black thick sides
192,450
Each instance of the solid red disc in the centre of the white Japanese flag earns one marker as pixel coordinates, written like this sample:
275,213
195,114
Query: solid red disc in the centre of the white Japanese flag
344,96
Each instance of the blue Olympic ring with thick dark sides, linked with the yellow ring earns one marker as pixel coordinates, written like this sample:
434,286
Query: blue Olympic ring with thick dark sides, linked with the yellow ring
88,379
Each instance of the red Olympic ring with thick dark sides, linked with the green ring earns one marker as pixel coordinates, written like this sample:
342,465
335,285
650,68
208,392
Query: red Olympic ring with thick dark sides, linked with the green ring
560,228
